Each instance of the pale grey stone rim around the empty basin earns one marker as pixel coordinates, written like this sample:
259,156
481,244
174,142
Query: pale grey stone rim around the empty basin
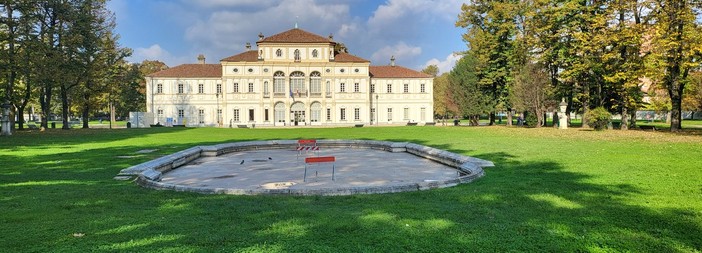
149,173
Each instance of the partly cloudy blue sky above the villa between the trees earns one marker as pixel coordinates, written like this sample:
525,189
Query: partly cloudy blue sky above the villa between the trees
416,32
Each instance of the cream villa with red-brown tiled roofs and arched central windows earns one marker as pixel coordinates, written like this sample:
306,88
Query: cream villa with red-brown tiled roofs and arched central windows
290,79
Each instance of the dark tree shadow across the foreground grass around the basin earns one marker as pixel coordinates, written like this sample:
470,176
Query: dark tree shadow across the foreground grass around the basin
517,206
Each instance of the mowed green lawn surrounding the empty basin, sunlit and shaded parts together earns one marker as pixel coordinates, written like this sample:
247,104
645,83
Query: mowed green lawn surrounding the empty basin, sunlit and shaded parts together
550,191
